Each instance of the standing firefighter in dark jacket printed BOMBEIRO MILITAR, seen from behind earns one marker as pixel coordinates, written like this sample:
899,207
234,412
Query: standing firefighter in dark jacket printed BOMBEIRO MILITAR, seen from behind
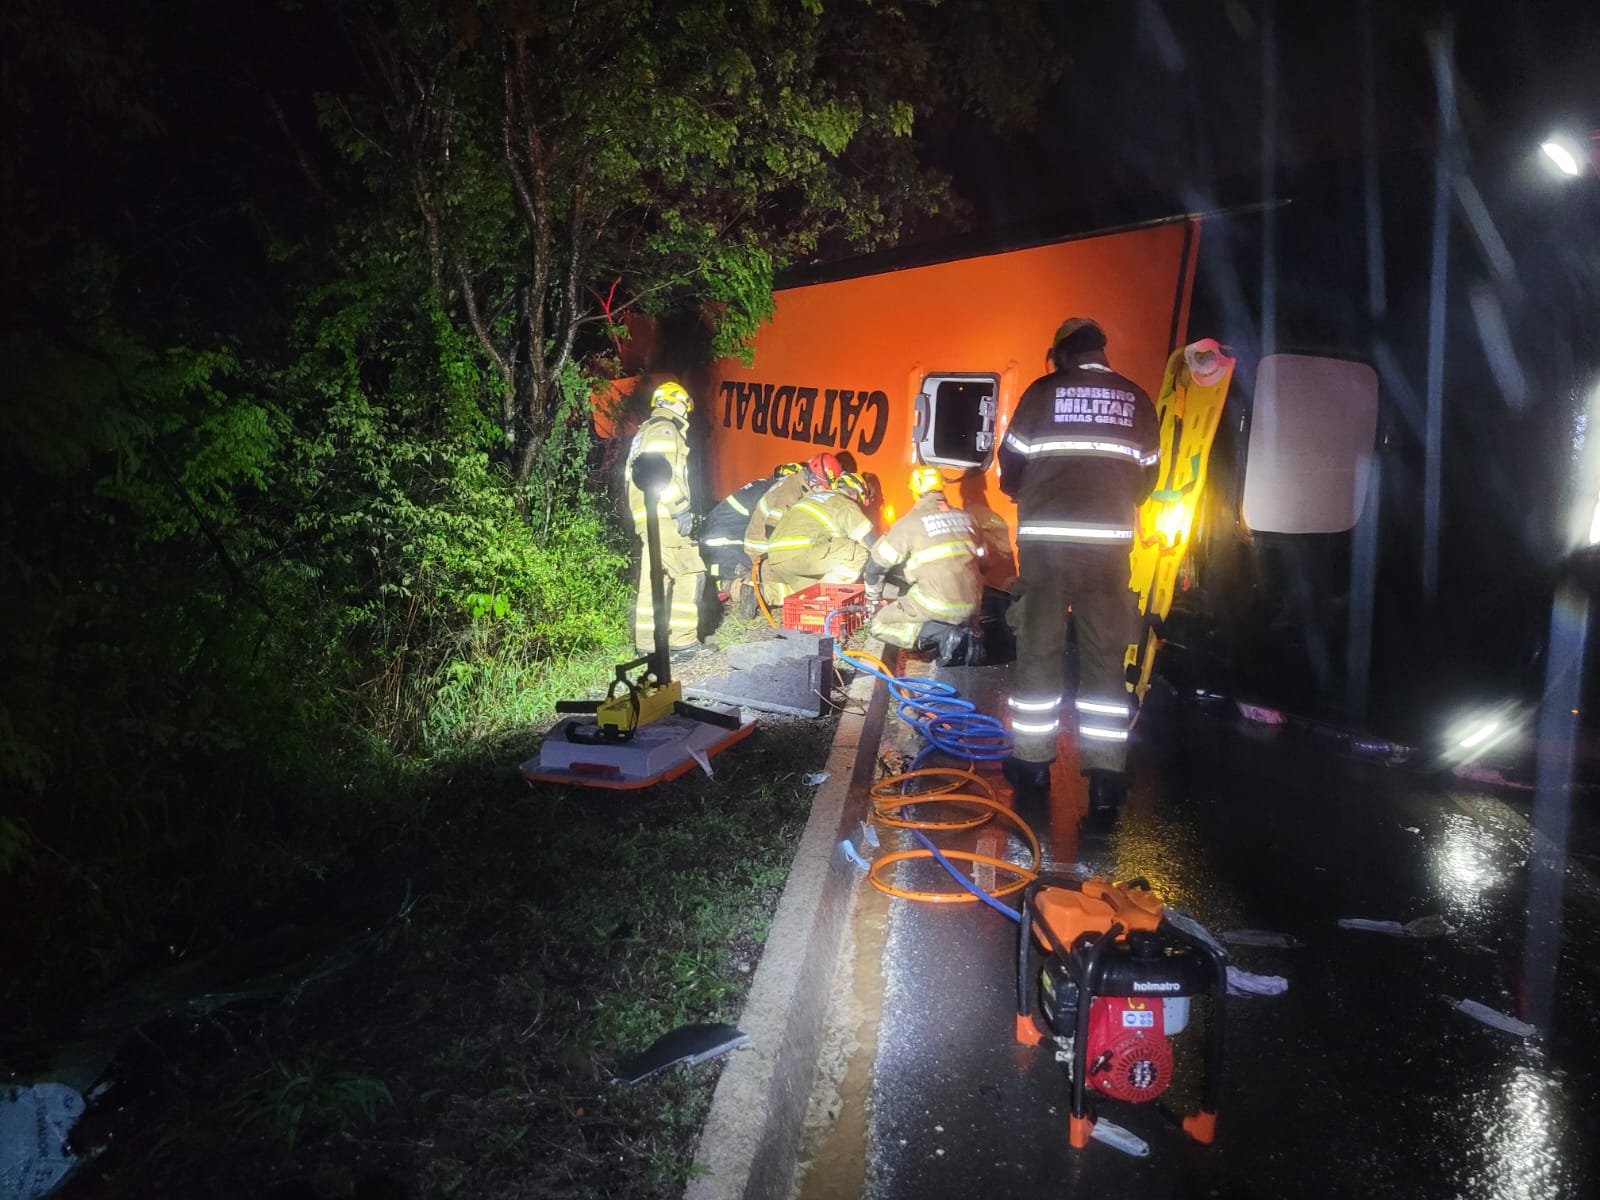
1079,458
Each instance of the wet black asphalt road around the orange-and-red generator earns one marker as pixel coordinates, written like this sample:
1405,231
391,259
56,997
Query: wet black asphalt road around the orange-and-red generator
1361,1081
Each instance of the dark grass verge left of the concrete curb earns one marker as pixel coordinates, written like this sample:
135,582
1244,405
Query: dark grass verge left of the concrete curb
553,934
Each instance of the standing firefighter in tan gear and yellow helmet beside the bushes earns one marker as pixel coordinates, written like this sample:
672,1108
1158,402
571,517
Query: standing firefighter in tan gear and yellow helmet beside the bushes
684,575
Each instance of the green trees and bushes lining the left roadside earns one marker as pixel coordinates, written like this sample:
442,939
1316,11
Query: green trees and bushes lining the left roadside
297,474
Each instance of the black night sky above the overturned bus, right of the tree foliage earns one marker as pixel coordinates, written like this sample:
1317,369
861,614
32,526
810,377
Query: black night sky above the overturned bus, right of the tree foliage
1158,100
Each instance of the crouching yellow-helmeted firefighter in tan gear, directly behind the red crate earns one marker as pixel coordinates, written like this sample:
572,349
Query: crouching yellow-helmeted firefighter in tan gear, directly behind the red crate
825,538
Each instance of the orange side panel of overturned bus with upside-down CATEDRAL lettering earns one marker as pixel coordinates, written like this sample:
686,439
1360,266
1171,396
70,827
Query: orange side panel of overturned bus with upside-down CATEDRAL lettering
841,364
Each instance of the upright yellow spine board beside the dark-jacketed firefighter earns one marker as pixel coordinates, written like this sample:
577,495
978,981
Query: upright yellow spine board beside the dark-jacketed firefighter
1161,542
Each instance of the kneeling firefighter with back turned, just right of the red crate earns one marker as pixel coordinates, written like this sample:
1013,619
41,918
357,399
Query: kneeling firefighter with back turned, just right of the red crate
935,548
